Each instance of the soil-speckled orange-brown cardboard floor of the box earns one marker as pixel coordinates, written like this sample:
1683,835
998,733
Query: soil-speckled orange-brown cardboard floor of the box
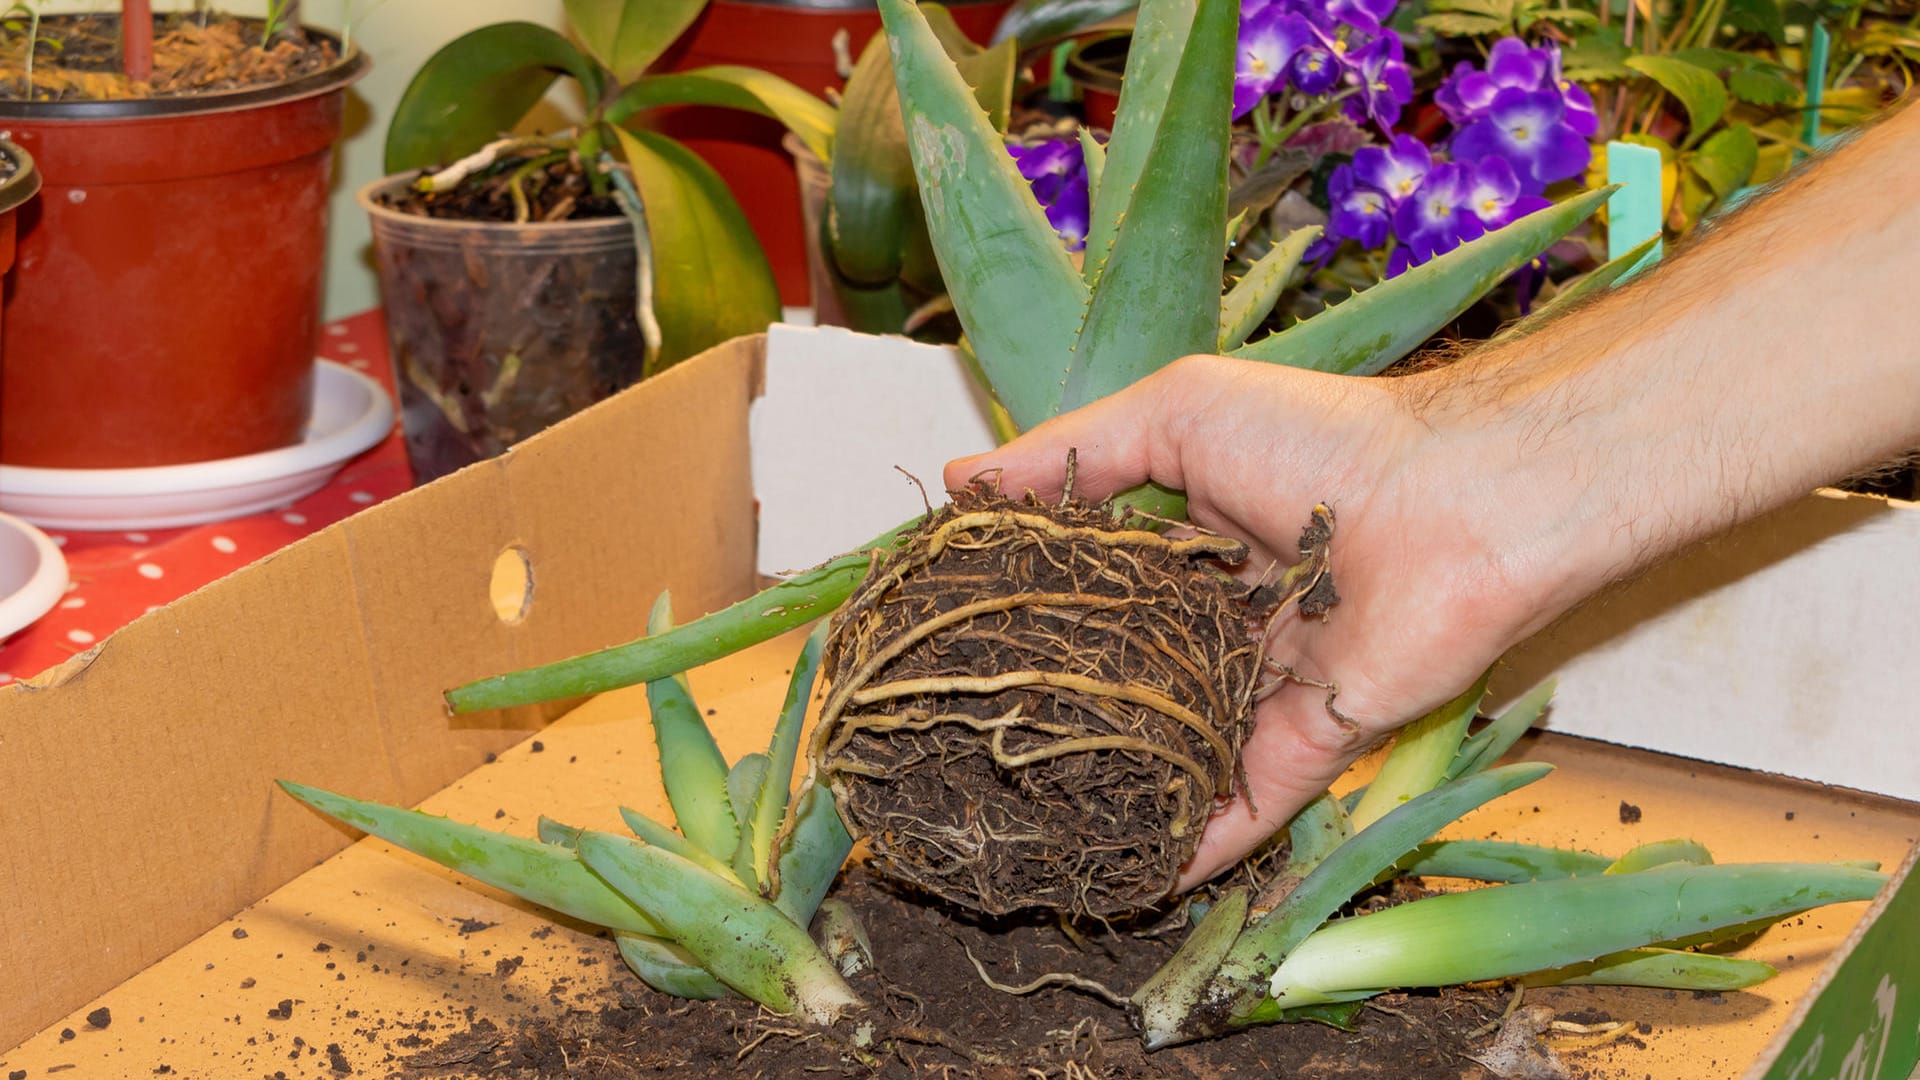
406,968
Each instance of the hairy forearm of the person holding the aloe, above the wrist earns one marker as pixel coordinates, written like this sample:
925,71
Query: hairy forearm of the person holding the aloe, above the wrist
1777,355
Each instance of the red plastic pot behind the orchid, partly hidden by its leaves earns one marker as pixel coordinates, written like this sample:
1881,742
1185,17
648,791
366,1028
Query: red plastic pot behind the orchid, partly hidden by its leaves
794,41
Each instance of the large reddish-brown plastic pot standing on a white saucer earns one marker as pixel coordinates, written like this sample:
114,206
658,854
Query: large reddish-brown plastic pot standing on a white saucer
168,293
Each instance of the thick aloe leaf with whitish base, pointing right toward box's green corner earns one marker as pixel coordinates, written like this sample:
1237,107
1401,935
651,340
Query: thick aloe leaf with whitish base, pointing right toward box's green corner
1508,931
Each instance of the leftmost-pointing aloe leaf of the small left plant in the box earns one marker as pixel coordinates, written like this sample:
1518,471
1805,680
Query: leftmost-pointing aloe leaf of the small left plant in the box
544,873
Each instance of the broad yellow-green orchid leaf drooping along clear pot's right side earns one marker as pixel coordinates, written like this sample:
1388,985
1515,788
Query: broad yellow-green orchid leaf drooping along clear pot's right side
711,280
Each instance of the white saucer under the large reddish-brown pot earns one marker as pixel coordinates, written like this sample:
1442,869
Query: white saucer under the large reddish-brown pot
350,414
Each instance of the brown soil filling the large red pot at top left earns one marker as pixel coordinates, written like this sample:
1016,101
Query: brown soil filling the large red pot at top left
80,57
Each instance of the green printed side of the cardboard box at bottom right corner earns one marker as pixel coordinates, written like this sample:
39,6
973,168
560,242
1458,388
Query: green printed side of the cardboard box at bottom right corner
1865,1025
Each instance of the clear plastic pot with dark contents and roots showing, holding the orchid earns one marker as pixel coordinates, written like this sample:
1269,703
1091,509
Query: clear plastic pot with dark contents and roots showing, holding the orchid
498,330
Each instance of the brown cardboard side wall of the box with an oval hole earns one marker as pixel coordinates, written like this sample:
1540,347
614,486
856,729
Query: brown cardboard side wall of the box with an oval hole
126,833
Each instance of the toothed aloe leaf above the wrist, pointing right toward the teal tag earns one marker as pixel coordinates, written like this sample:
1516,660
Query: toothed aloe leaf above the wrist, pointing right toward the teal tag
1376,328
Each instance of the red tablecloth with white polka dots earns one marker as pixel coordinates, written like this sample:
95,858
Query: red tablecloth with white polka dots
116,577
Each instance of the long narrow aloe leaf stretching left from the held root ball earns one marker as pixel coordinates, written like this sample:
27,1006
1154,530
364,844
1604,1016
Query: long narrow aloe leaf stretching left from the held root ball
763,616
